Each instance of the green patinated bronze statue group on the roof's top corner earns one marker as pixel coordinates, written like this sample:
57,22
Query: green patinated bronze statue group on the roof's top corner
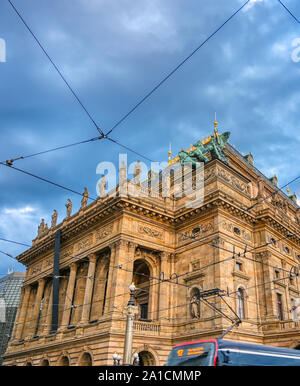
213,145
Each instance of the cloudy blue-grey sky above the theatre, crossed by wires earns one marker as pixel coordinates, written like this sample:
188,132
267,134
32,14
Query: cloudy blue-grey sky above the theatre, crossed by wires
113,53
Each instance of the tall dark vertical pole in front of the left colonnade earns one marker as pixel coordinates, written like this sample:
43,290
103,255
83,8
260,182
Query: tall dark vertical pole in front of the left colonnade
55,290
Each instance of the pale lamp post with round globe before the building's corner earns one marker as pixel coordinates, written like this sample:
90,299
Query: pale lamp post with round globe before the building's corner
131,310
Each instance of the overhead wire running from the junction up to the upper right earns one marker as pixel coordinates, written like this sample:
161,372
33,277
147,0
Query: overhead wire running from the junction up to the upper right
175,70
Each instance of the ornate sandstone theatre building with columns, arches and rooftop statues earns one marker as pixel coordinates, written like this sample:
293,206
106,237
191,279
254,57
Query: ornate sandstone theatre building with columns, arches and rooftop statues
197,270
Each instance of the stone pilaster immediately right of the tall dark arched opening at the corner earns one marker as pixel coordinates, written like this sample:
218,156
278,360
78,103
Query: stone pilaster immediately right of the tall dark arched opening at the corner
164,286
